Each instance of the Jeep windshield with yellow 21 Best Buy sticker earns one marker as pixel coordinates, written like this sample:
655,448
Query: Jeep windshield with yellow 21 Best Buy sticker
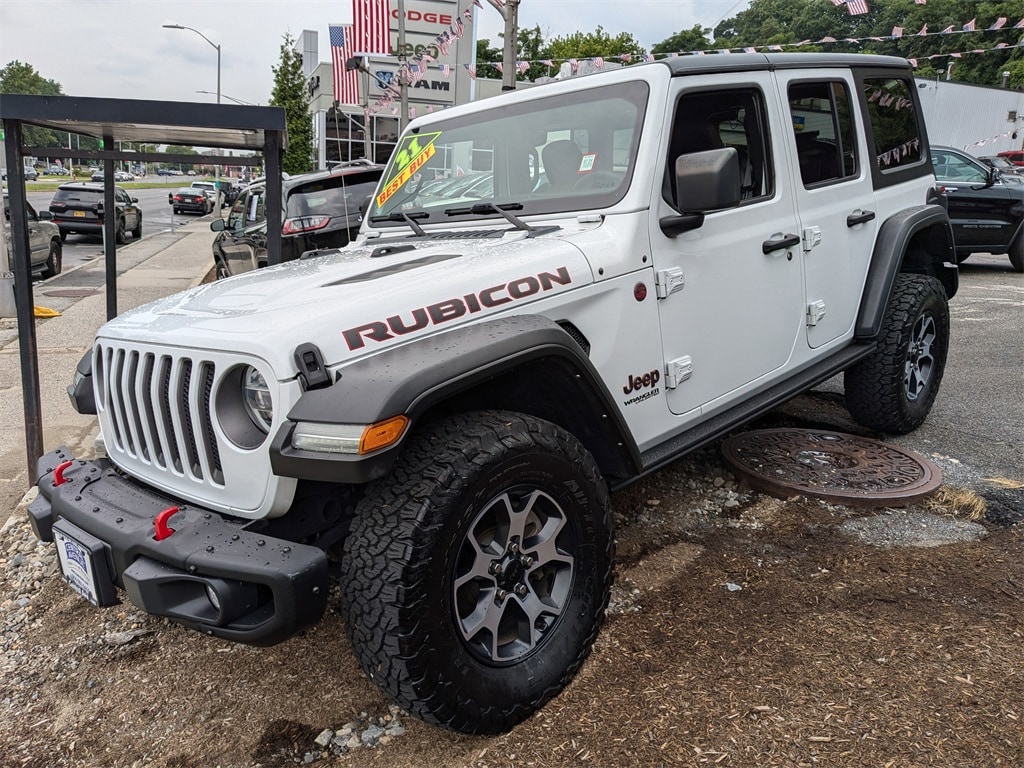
565,153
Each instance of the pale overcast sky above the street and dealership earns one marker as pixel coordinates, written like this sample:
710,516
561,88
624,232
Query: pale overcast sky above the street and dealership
119,50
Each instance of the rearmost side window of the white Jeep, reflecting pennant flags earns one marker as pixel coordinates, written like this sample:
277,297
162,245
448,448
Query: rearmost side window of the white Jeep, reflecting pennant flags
894,123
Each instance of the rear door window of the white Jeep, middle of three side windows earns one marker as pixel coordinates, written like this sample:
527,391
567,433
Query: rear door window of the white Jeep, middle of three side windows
823,126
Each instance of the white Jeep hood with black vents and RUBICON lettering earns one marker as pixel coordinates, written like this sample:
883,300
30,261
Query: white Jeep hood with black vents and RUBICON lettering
372,295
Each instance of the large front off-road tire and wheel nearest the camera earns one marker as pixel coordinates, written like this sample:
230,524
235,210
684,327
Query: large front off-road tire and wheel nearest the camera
418,570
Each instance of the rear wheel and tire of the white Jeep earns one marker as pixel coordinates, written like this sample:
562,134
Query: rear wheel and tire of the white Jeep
893,390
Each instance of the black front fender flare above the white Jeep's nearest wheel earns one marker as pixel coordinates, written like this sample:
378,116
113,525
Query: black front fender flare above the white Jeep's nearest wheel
412,378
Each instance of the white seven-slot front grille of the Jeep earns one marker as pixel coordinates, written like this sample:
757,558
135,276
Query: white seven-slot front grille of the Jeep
158,410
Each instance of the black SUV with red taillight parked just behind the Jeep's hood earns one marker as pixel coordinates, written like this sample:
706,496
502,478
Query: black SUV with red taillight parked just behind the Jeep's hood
322,210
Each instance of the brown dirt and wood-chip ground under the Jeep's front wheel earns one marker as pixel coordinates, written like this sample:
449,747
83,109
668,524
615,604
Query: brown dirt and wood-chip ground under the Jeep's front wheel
755,635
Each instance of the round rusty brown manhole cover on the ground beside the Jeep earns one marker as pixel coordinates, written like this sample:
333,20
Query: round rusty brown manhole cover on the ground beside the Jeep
839,467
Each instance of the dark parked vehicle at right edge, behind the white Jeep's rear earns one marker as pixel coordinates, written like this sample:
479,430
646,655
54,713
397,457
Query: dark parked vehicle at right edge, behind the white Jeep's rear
987,210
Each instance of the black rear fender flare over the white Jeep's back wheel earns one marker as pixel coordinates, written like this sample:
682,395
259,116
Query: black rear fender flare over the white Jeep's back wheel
889,259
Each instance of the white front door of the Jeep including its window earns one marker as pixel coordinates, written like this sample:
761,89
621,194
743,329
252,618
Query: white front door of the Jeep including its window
739,313
